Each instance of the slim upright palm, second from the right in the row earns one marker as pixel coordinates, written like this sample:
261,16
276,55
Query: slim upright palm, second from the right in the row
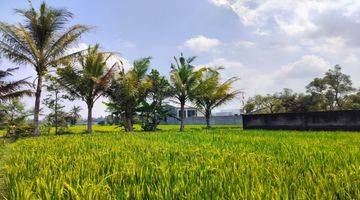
184,79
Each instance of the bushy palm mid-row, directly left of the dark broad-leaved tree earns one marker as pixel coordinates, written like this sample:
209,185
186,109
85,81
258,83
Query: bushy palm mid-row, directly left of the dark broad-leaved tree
127,90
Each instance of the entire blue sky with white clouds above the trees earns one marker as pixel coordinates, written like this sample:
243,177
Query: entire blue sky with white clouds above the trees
269,44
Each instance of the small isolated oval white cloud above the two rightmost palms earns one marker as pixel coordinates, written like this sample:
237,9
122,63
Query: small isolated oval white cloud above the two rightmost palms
202,44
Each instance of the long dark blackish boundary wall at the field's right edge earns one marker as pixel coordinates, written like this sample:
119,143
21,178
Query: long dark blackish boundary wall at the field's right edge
348,120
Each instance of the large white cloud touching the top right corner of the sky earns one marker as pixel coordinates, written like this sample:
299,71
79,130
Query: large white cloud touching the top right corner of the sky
292,17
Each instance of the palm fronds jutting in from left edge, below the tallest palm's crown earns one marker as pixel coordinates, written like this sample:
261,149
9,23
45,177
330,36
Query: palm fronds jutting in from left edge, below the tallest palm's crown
12,89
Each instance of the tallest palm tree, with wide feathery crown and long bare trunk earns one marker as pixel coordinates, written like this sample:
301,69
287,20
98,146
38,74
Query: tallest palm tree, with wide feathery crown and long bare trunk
41,41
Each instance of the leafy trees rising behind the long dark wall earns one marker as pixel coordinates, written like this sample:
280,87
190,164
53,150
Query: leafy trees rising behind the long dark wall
333,91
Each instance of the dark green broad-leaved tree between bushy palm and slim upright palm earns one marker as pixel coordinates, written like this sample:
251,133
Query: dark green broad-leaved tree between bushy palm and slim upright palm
153,109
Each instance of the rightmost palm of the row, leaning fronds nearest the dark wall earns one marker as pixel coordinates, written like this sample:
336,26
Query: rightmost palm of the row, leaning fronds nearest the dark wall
212,93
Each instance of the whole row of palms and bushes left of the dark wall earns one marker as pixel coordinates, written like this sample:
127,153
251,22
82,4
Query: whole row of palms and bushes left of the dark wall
137,95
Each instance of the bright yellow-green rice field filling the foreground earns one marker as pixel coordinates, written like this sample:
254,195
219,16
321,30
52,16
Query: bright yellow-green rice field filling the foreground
223,163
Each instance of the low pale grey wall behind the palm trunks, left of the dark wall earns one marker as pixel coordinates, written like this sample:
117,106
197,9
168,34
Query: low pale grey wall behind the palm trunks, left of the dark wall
215,120
